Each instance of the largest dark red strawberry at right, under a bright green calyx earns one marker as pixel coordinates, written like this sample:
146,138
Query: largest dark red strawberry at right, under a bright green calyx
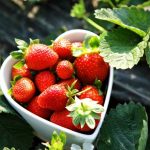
90,67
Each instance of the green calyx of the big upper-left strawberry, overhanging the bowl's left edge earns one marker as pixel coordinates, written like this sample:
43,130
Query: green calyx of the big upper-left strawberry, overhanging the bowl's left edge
22,46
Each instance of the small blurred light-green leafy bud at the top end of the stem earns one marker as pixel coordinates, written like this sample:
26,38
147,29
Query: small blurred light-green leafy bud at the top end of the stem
78,10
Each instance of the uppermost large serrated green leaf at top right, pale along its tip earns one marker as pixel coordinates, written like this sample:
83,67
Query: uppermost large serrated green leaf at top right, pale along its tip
132,18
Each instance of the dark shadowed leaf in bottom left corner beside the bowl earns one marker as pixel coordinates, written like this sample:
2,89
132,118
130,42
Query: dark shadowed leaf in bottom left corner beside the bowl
14,131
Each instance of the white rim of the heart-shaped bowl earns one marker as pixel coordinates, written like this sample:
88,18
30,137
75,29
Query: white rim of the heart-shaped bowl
48,123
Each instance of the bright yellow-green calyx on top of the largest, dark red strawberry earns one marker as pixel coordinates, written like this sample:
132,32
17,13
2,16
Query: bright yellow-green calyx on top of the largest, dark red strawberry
90,45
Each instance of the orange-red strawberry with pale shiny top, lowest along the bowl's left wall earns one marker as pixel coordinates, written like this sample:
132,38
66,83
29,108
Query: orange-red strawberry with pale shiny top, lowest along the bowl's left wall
23,90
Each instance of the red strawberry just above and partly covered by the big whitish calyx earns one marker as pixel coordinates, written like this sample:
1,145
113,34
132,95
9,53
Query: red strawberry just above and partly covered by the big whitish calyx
92,93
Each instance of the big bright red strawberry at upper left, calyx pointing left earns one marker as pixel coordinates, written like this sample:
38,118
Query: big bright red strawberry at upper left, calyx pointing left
40,56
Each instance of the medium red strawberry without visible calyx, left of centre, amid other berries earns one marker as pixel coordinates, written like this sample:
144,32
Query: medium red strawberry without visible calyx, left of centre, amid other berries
44,79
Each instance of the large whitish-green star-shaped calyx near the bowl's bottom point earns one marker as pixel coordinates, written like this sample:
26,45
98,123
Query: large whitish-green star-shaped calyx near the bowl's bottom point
85,111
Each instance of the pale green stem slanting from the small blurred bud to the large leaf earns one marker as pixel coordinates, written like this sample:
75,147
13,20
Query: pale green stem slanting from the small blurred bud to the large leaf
91,22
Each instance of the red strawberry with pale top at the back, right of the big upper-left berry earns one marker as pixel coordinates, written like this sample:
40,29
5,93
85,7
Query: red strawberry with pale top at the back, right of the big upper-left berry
63,48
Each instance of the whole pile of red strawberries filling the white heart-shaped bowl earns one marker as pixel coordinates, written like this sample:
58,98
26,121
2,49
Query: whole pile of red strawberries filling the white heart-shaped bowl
57,86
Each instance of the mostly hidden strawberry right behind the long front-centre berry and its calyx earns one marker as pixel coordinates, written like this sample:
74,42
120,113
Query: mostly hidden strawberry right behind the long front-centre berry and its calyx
69,82
